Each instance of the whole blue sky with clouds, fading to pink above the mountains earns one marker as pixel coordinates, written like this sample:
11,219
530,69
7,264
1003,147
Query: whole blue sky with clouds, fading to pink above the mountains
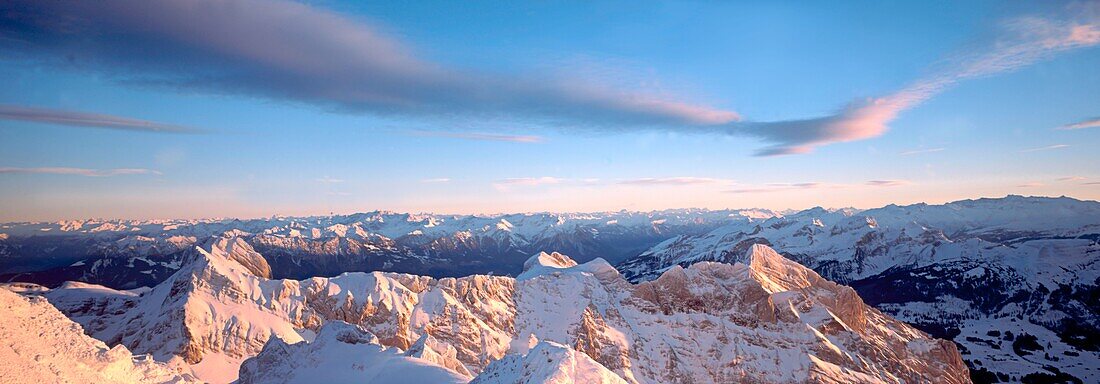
252,108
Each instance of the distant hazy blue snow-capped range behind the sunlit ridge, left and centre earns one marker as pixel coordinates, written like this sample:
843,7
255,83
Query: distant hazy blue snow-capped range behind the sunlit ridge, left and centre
128,255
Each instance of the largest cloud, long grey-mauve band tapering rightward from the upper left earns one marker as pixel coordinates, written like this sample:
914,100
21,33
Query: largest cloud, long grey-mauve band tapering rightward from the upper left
290,51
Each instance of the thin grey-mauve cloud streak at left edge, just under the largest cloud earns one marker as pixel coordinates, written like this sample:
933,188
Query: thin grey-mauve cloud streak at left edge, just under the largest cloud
87,120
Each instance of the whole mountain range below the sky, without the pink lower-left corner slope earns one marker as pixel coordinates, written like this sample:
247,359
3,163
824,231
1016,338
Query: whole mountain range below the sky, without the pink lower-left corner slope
1014,282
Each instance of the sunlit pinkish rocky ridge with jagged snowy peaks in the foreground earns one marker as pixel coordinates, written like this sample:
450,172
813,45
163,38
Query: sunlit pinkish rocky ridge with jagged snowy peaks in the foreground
766,320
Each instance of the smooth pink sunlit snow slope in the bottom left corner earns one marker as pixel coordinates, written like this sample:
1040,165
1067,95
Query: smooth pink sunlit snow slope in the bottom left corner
39,345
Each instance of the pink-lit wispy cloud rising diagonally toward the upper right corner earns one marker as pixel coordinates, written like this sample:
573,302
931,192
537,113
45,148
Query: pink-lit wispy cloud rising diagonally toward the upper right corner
1022,42
